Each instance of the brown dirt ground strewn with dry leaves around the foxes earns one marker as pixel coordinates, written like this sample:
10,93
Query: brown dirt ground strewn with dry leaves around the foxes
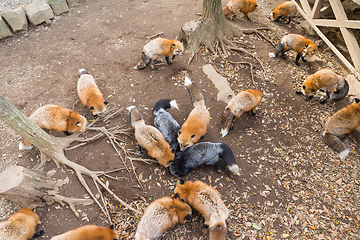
292,186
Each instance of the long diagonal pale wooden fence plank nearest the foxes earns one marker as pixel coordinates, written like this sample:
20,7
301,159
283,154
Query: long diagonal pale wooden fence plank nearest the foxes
327,41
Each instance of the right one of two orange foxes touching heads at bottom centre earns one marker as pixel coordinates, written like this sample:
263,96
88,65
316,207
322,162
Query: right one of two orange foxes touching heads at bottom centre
207,201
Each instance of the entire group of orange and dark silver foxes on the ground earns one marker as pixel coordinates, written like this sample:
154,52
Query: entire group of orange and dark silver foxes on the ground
176,146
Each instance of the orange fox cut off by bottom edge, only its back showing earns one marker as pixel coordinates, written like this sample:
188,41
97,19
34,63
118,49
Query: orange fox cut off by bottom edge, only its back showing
89,232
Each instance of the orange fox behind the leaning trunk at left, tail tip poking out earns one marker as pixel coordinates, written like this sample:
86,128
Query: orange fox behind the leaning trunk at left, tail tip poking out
54,117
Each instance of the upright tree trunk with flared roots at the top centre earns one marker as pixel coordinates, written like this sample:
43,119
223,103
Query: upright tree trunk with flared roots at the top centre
211,30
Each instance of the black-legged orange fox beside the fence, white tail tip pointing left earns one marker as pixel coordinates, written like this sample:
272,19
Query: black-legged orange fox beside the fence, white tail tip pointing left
300,44
